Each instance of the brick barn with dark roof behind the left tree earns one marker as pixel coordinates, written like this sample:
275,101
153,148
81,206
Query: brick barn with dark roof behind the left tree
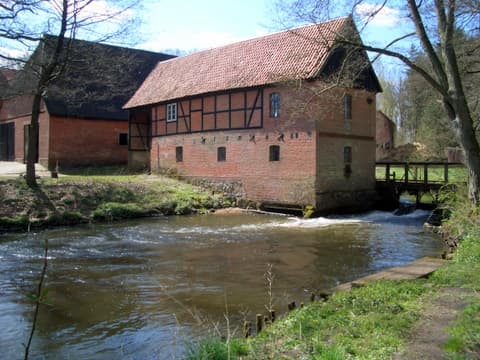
82,122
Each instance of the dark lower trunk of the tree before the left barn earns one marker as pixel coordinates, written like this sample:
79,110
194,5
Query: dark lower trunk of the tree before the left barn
32,149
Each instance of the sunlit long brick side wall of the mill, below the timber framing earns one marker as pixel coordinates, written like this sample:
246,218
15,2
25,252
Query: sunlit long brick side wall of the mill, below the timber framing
290,180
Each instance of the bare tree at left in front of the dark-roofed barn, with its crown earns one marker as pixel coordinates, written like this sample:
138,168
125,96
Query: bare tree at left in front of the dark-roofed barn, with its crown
24,24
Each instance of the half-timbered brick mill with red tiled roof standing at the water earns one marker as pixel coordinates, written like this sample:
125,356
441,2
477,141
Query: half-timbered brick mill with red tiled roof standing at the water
262,114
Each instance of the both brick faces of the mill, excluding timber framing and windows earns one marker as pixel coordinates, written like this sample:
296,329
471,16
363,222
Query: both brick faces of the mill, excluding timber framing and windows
311,133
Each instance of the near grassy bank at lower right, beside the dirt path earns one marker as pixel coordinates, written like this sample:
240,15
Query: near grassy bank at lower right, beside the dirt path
378,321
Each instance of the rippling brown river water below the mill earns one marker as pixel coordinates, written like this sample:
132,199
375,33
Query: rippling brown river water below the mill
144,289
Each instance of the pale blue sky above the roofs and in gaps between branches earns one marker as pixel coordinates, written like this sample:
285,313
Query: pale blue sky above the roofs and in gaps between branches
184,26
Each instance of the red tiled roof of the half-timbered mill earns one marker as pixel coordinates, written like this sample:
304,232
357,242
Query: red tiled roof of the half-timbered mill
292,54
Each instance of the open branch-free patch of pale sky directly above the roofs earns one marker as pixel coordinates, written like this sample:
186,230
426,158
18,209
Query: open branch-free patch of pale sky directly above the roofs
190,24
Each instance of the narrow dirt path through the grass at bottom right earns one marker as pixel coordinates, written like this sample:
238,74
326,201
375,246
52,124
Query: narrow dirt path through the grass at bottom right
431,332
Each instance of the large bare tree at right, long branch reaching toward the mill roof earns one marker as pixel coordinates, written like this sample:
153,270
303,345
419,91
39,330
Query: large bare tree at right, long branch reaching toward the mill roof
431,24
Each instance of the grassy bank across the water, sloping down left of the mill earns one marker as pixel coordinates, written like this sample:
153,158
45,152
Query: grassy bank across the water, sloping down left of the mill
93,197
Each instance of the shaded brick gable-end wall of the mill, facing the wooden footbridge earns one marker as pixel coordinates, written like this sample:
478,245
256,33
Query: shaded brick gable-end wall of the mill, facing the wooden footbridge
346,185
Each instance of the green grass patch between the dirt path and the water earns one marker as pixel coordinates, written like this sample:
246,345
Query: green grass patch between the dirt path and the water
368,323
